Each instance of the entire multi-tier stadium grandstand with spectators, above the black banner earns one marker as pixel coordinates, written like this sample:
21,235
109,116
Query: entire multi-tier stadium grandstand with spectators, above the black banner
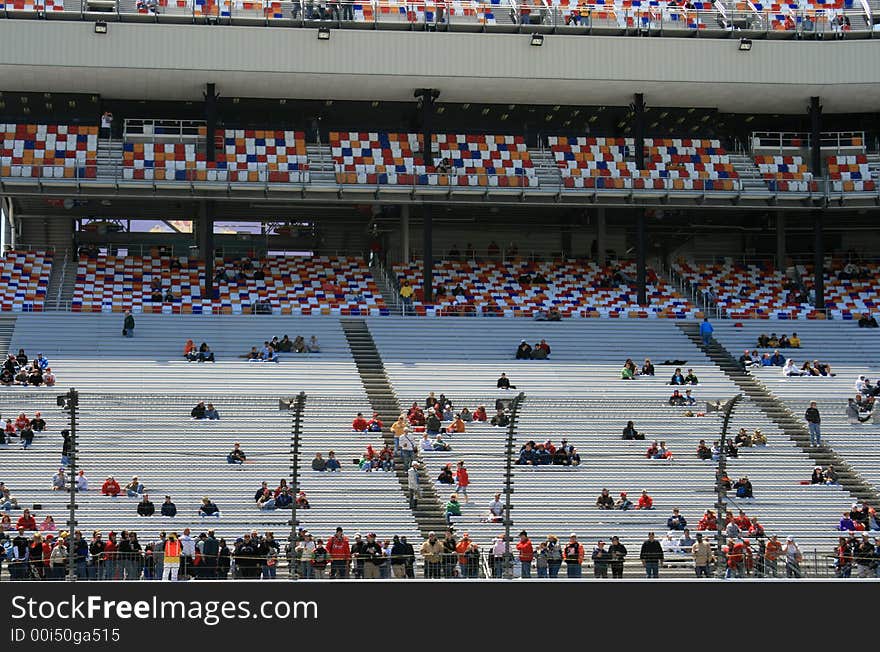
456,289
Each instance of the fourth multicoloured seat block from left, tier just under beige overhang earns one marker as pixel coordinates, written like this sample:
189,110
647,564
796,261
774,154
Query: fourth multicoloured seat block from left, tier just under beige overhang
677,164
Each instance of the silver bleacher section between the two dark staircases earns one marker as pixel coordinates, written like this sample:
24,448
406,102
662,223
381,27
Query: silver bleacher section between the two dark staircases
576,394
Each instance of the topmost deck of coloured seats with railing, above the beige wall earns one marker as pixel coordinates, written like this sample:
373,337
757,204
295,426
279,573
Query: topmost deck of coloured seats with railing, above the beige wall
475,15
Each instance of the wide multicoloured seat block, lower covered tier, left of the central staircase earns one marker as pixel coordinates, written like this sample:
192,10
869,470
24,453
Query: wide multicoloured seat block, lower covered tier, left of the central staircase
319,285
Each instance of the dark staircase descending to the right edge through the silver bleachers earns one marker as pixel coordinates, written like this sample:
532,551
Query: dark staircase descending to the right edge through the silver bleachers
781,415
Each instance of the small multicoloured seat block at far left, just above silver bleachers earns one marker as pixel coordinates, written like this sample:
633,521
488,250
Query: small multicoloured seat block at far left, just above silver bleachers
24,280
